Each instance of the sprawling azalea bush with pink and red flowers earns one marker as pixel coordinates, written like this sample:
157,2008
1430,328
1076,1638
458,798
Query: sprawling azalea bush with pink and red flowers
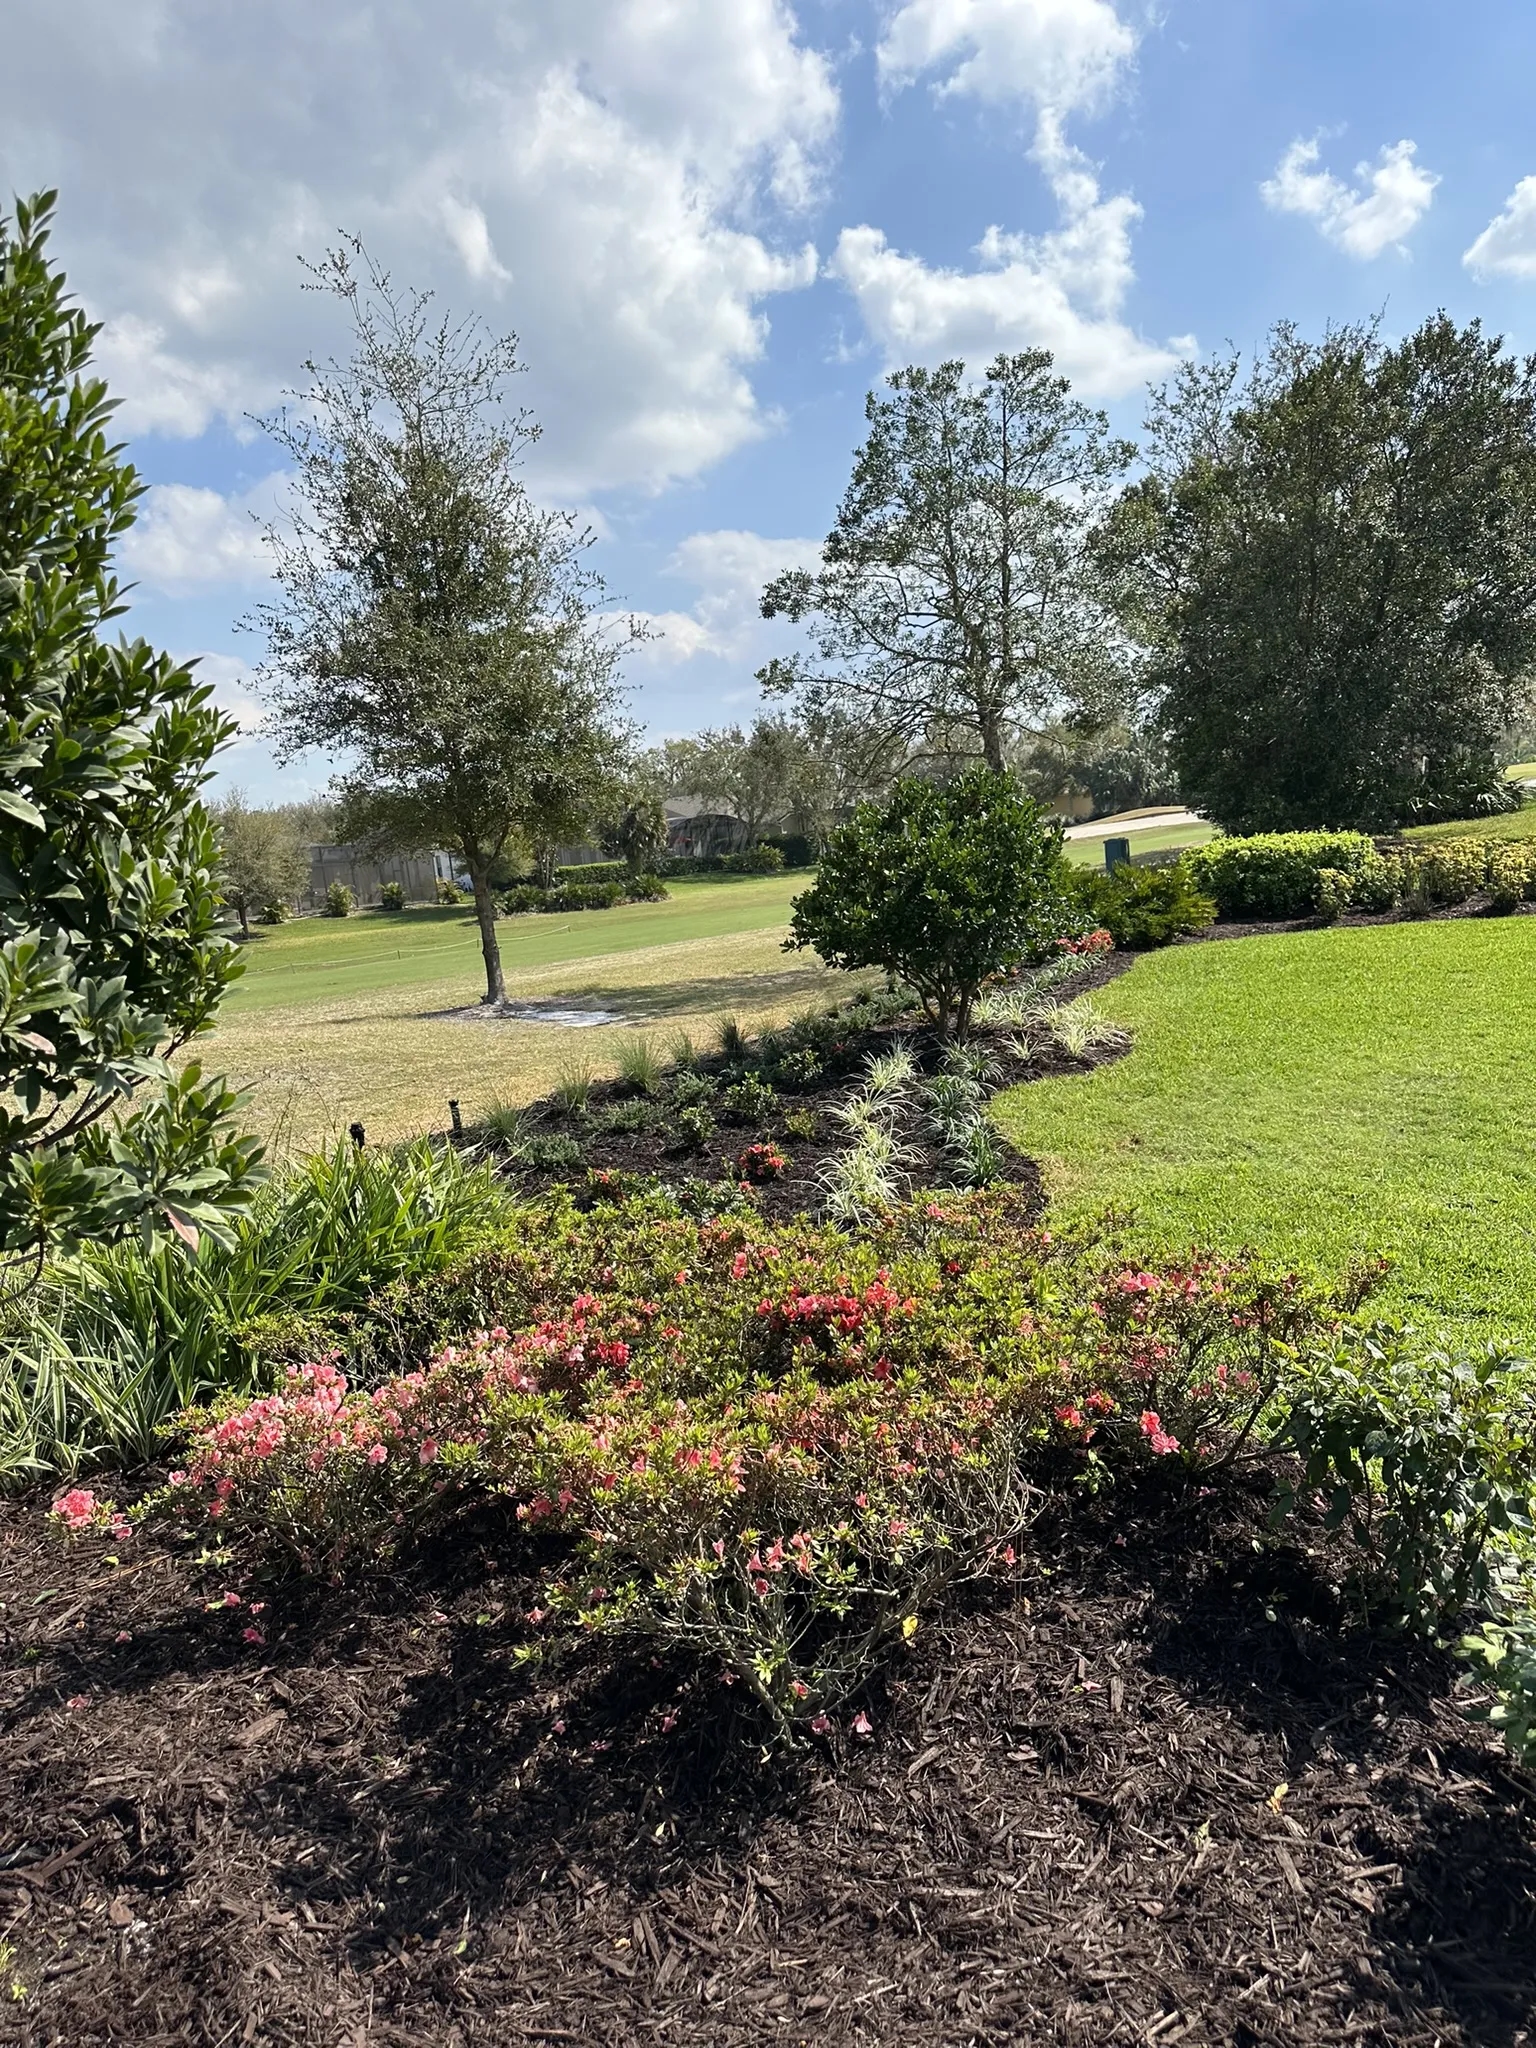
773,1449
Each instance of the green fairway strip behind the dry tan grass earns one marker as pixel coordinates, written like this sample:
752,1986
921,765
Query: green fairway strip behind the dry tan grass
331,957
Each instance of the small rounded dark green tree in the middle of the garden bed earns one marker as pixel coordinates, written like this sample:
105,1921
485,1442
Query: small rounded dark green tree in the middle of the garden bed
945,888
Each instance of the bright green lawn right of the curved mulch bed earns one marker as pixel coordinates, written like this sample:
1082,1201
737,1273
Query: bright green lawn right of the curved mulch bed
1322,1097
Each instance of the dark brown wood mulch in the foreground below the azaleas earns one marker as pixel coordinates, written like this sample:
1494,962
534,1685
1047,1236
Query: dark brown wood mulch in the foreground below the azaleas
1162,1793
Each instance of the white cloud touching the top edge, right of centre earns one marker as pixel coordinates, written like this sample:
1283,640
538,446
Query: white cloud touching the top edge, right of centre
1062,54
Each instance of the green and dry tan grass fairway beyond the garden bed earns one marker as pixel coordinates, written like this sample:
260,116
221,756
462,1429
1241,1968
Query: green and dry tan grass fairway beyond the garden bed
361,1021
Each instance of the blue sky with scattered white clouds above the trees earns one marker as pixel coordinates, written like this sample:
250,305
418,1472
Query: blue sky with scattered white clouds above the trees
714,224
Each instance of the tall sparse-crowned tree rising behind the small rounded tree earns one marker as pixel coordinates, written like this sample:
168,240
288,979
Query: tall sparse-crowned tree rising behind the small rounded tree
955,591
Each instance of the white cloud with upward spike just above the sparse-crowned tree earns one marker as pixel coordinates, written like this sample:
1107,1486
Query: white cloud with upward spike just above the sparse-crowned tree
1062,292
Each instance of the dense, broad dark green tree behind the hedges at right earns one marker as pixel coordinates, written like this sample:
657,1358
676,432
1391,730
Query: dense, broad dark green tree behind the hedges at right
1332,564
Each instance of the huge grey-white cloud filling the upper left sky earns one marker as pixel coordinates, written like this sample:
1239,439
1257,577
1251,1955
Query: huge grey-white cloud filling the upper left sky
617,181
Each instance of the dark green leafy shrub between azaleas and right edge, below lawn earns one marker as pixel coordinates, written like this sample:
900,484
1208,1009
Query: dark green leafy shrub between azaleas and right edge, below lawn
1424,1457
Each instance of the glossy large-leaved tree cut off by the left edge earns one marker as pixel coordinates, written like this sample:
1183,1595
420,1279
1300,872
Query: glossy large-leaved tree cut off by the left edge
114,951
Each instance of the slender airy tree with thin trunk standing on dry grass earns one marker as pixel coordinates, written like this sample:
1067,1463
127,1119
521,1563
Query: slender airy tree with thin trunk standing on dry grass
435,624
